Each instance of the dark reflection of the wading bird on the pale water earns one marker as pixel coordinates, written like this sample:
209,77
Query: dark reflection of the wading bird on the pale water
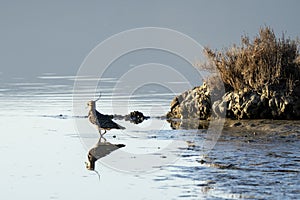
100,150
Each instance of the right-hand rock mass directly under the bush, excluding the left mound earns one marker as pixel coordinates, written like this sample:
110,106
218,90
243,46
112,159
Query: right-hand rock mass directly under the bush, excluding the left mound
258,105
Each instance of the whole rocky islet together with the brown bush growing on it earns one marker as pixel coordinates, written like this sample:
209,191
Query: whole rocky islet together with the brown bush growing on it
261,79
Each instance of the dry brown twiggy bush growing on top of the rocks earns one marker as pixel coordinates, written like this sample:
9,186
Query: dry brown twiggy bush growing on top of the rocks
255,64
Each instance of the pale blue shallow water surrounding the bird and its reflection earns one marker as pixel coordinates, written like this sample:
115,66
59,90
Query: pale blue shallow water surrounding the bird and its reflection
43,148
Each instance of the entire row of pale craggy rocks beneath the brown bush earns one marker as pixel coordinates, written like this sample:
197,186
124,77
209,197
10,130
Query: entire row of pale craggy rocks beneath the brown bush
264,104
